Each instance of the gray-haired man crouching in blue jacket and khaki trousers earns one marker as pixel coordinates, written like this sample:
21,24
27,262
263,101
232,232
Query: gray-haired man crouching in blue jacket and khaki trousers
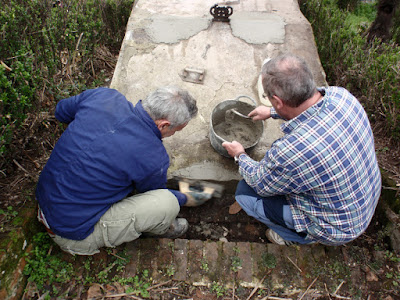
110,151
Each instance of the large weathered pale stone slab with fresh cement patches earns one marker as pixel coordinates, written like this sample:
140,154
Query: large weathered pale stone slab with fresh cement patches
165,37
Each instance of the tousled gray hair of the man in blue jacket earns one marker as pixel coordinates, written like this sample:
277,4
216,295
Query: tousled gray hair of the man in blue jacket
171,103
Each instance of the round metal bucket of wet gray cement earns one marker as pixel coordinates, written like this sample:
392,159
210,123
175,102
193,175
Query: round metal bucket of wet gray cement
245,131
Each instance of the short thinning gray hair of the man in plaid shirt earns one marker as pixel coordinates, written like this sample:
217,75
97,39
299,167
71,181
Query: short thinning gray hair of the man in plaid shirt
288,77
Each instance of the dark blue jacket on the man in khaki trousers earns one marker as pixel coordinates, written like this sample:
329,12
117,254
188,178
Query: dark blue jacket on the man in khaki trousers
109,149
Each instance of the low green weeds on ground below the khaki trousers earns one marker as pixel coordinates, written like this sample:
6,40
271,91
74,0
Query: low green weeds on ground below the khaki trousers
50,270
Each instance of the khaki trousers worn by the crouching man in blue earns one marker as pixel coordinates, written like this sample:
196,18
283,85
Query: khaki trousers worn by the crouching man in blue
151,212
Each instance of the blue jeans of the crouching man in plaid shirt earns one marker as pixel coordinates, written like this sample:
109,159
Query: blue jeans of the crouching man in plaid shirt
272,211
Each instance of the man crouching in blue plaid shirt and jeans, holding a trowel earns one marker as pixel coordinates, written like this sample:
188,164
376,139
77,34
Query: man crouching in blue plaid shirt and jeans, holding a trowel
320,182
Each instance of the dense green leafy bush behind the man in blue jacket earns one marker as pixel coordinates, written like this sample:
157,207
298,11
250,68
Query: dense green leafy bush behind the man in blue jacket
45,49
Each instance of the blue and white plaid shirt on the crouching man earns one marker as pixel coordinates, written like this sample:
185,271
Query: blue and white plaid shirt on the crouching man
326,166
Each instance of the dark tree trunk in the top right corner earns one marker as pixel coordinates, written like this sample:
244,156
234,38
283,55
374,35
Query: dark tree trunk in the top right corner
380,28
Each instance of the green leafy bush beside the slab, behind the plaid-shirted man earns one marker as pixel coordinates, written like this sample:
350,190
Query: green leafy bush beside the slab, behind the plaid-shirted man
370,72
